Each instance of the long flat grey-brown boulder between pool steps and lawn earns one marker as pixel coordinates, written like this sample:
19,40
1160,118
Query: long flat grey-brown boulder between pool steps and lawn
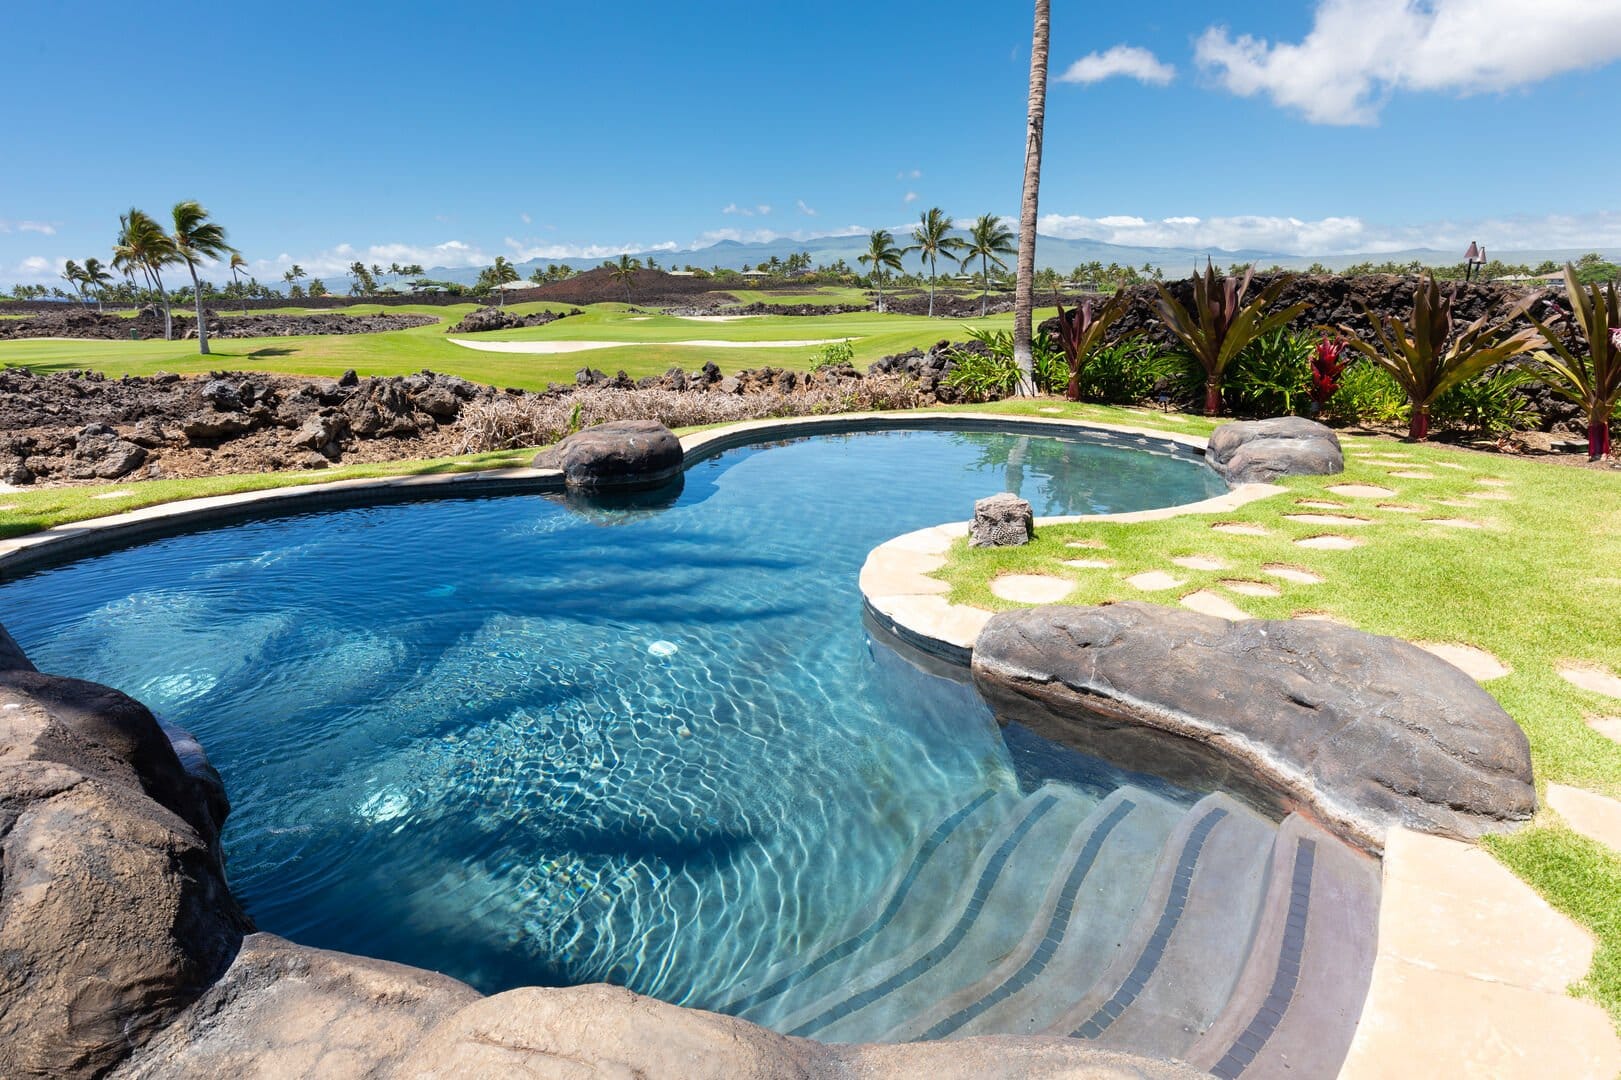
1359,732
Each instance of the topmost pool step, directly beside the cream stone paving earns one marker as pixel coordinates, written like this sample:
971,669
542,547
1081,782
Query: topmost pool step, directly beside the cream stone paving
1296,1006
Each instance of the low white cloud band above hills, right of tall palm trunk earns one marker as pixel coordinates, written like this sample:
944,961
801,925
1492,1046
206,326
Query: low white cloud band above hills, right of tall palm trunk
1338,236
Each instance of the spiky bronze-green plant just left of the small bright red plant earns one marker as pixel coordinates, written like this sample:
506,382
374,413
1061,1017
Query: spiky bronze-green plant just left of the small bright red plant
1223,324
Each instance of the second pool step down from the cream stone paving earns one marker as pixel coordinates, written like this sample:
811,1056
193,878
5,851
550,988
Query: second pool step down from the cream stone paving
1191,941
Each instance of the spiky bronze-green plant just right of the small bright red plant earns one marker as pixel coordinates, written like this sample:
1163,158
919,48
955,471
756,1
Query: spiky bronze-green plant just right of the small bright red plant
1427,359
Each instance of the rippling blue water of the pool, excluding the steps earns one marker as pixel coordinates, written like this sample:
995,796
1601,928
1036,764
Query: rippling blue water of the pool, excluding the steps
542,742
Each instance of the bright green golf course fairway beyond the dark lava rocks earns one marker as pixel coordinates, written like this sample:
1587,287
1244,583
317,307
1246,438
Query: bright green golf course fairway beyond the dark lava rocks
401,353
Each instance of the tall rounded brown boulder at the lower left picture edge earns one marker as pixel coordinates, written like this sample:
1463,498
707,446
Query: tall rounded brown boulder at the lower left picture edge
114,911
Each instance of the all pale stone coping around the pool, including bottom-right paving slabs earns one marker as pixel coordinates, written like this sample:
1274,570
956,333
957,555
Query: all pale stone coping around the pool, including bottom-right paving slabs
1473,966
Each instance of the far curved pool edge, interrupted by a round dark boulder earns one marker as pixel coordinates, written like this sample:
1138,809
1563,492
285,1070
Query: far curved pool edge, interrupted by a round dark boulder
61,544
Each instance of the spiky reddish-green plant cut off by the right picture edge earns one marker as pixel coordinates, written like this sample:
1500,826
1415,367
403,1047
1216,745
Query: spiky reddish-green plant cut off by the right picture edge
1593,382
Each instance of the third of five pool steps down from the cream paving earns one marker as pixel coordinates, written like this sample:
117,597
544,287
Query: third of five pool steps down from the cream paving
1079,933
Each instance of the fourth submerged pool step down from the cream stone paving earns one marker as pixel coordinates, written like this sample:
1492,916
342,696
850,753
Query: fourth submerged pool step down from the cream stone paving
978,924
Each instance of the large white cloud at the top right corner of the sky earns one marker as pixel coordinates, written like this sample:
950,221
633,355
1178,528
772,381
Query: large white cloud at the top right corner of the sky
1361,53
